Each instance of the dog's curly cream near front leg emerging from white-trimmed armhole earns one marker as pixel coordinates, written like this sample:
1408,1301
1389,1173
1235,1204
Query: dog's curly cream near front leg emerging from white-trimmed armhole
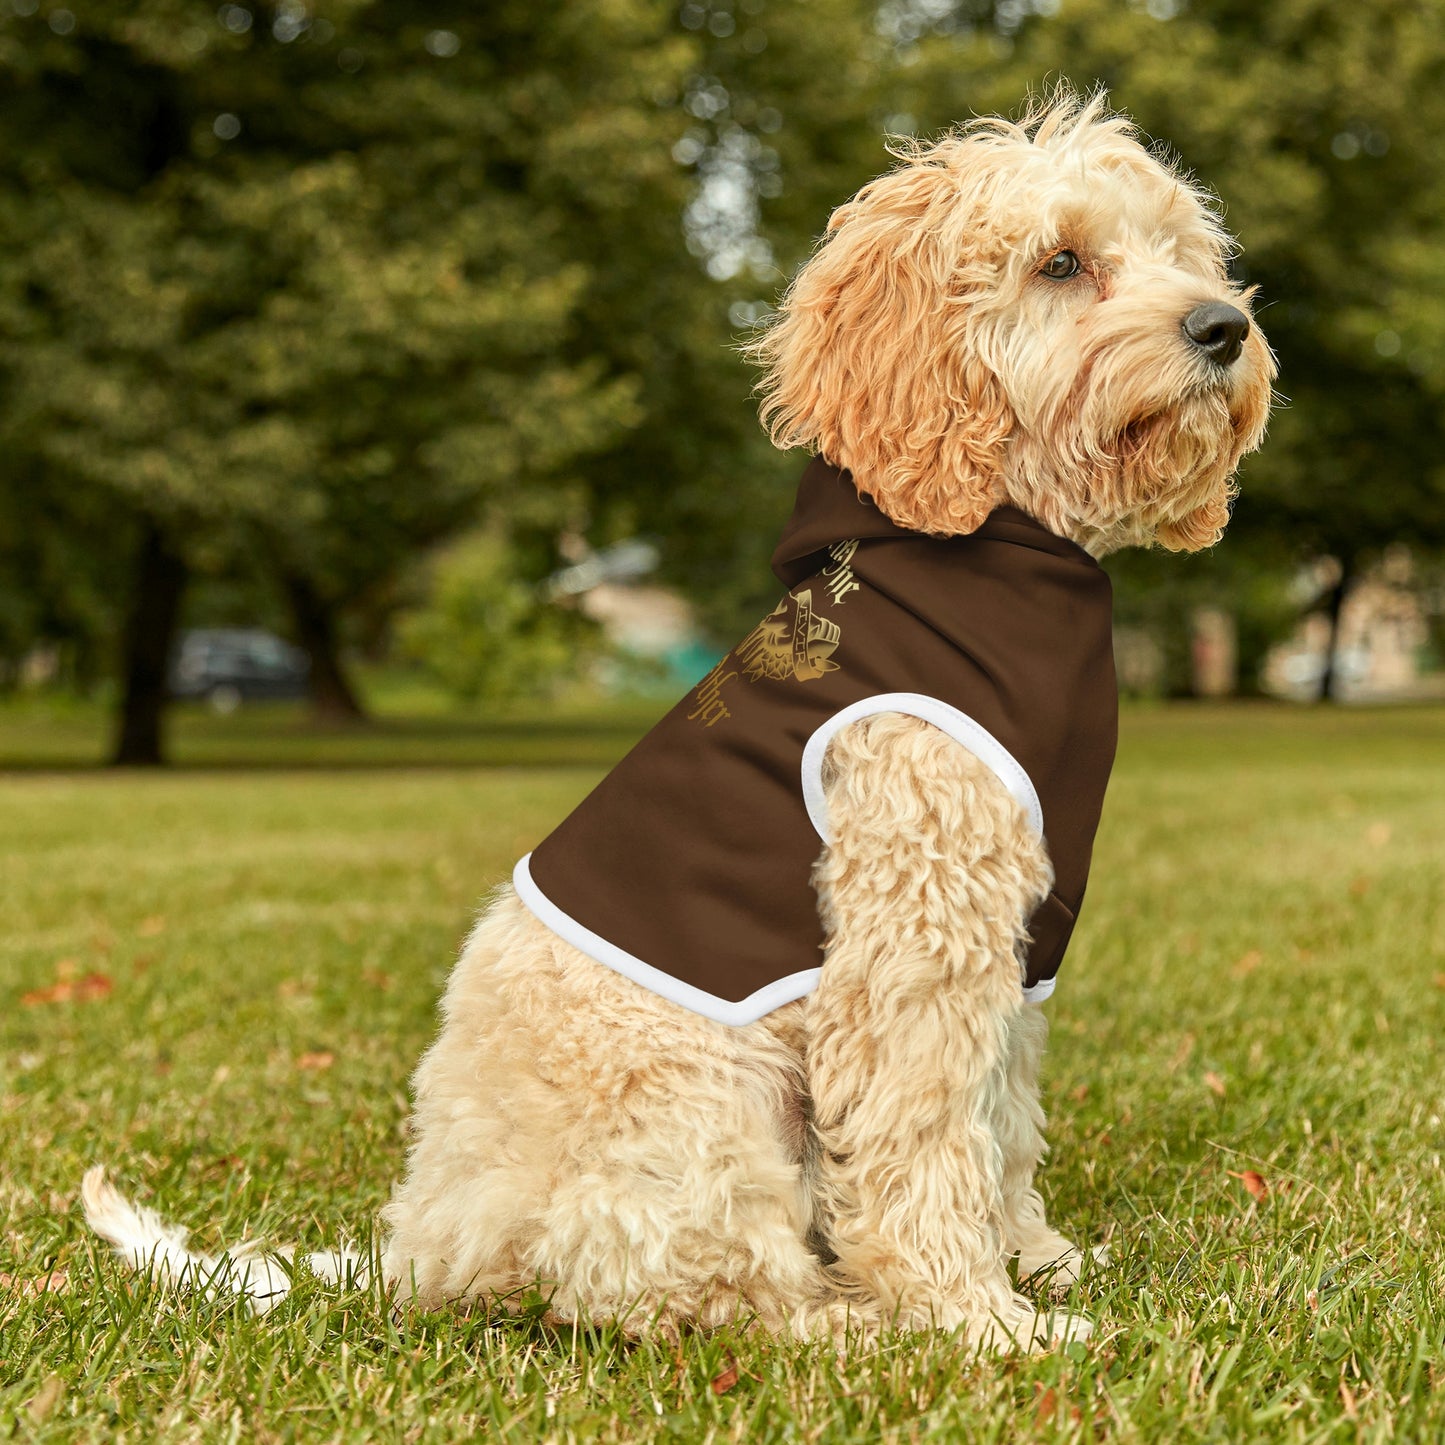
924,891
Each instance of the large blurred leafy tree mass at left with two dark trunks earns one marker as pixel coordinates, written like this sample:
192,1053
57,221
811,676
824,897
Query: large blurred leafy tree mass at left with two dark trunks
300,282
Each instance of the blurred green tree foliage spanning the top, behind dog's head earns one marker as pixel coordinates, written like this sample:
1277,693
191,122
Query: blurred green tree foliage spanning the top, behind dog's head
316,288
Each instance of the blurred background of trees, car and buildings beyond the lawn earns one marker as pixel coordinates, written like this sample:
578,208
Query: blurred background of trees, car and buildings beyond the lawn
363,361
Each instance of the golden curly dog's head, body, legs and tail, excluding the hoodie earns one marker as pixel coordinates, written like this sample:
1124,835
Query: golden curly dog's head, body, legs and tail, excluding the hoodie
1028,314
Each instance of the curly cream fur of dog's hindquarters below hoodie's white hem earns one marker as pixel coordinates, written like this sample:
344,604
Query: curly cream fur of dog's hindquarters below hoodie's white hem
580,1135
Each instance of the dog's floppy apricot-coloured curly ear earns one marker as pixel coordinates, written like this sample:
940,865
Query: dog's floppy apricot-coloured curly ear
872,361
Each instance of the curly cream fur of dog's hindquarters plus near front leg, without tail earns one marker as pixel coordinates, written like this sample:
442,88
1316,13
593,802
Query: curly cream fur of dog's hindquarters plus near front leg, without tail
576,1134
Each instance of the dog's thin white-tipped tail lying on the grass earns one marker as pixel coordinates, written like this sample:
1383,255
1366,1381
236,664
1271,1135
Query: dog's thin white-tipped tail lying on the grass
145,1242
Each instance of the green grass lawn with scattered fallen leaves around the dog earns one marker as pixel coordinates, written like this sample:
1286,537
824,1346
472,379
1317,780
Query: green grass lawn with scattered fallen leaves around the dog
1256,985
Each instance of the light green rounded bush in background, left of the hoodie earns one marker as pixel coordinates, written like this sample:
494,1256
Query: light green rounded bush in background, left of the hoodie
485,634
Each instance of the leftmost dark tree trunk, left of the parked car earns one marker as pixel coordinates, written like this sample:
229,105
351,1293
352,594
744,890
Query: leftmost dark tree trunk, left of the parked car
151,628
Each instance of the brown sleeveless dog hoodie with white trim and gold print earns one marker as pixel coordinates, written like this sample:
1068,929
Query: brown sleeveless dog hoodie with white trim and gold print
689,868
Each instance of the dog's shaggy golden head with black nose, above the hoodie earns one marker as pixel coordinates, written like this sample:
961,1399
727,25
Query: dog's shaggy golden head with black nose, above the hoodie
1032,313
